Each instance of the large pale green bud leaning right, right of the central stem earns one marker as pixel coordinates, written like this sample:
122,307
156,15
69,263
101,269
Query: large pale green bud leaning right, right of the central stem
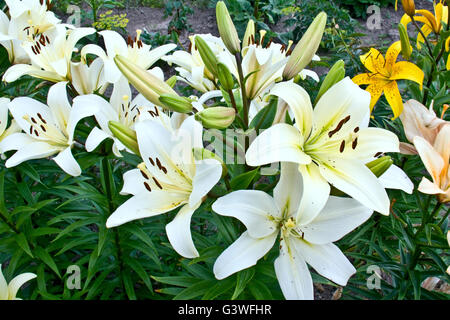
306,48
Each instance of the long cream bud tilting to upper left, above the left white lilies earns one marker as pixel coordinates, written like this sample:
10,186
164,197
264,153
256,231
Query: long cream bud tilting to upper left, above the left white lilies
150,86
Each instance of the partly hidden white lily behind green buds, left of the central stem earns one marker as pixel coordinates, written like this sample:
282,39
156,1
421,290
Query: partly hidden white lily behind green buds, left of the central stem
191,68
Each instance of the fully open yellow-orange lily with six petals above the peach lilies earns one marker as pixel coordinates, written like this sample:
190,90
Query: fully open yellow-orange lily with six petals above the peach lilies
383,76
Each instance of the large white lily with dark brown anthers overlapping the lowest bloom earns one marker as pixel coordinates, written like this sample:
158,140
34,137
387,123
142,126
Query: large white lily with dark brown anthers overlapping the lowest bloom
331,143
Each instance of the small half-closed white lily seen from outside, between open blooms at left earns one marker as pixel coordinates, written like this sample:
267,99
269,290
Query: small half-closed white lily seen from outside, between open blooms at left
87,79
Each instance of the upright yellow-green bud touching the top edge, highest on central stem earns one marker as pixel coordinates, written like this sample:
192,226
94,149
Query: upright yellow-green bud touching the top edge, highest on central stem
227,29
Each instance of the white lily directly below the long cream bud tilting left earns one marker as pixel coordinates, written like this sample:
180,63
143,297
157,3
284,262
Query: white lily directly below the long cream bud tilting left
121,108
